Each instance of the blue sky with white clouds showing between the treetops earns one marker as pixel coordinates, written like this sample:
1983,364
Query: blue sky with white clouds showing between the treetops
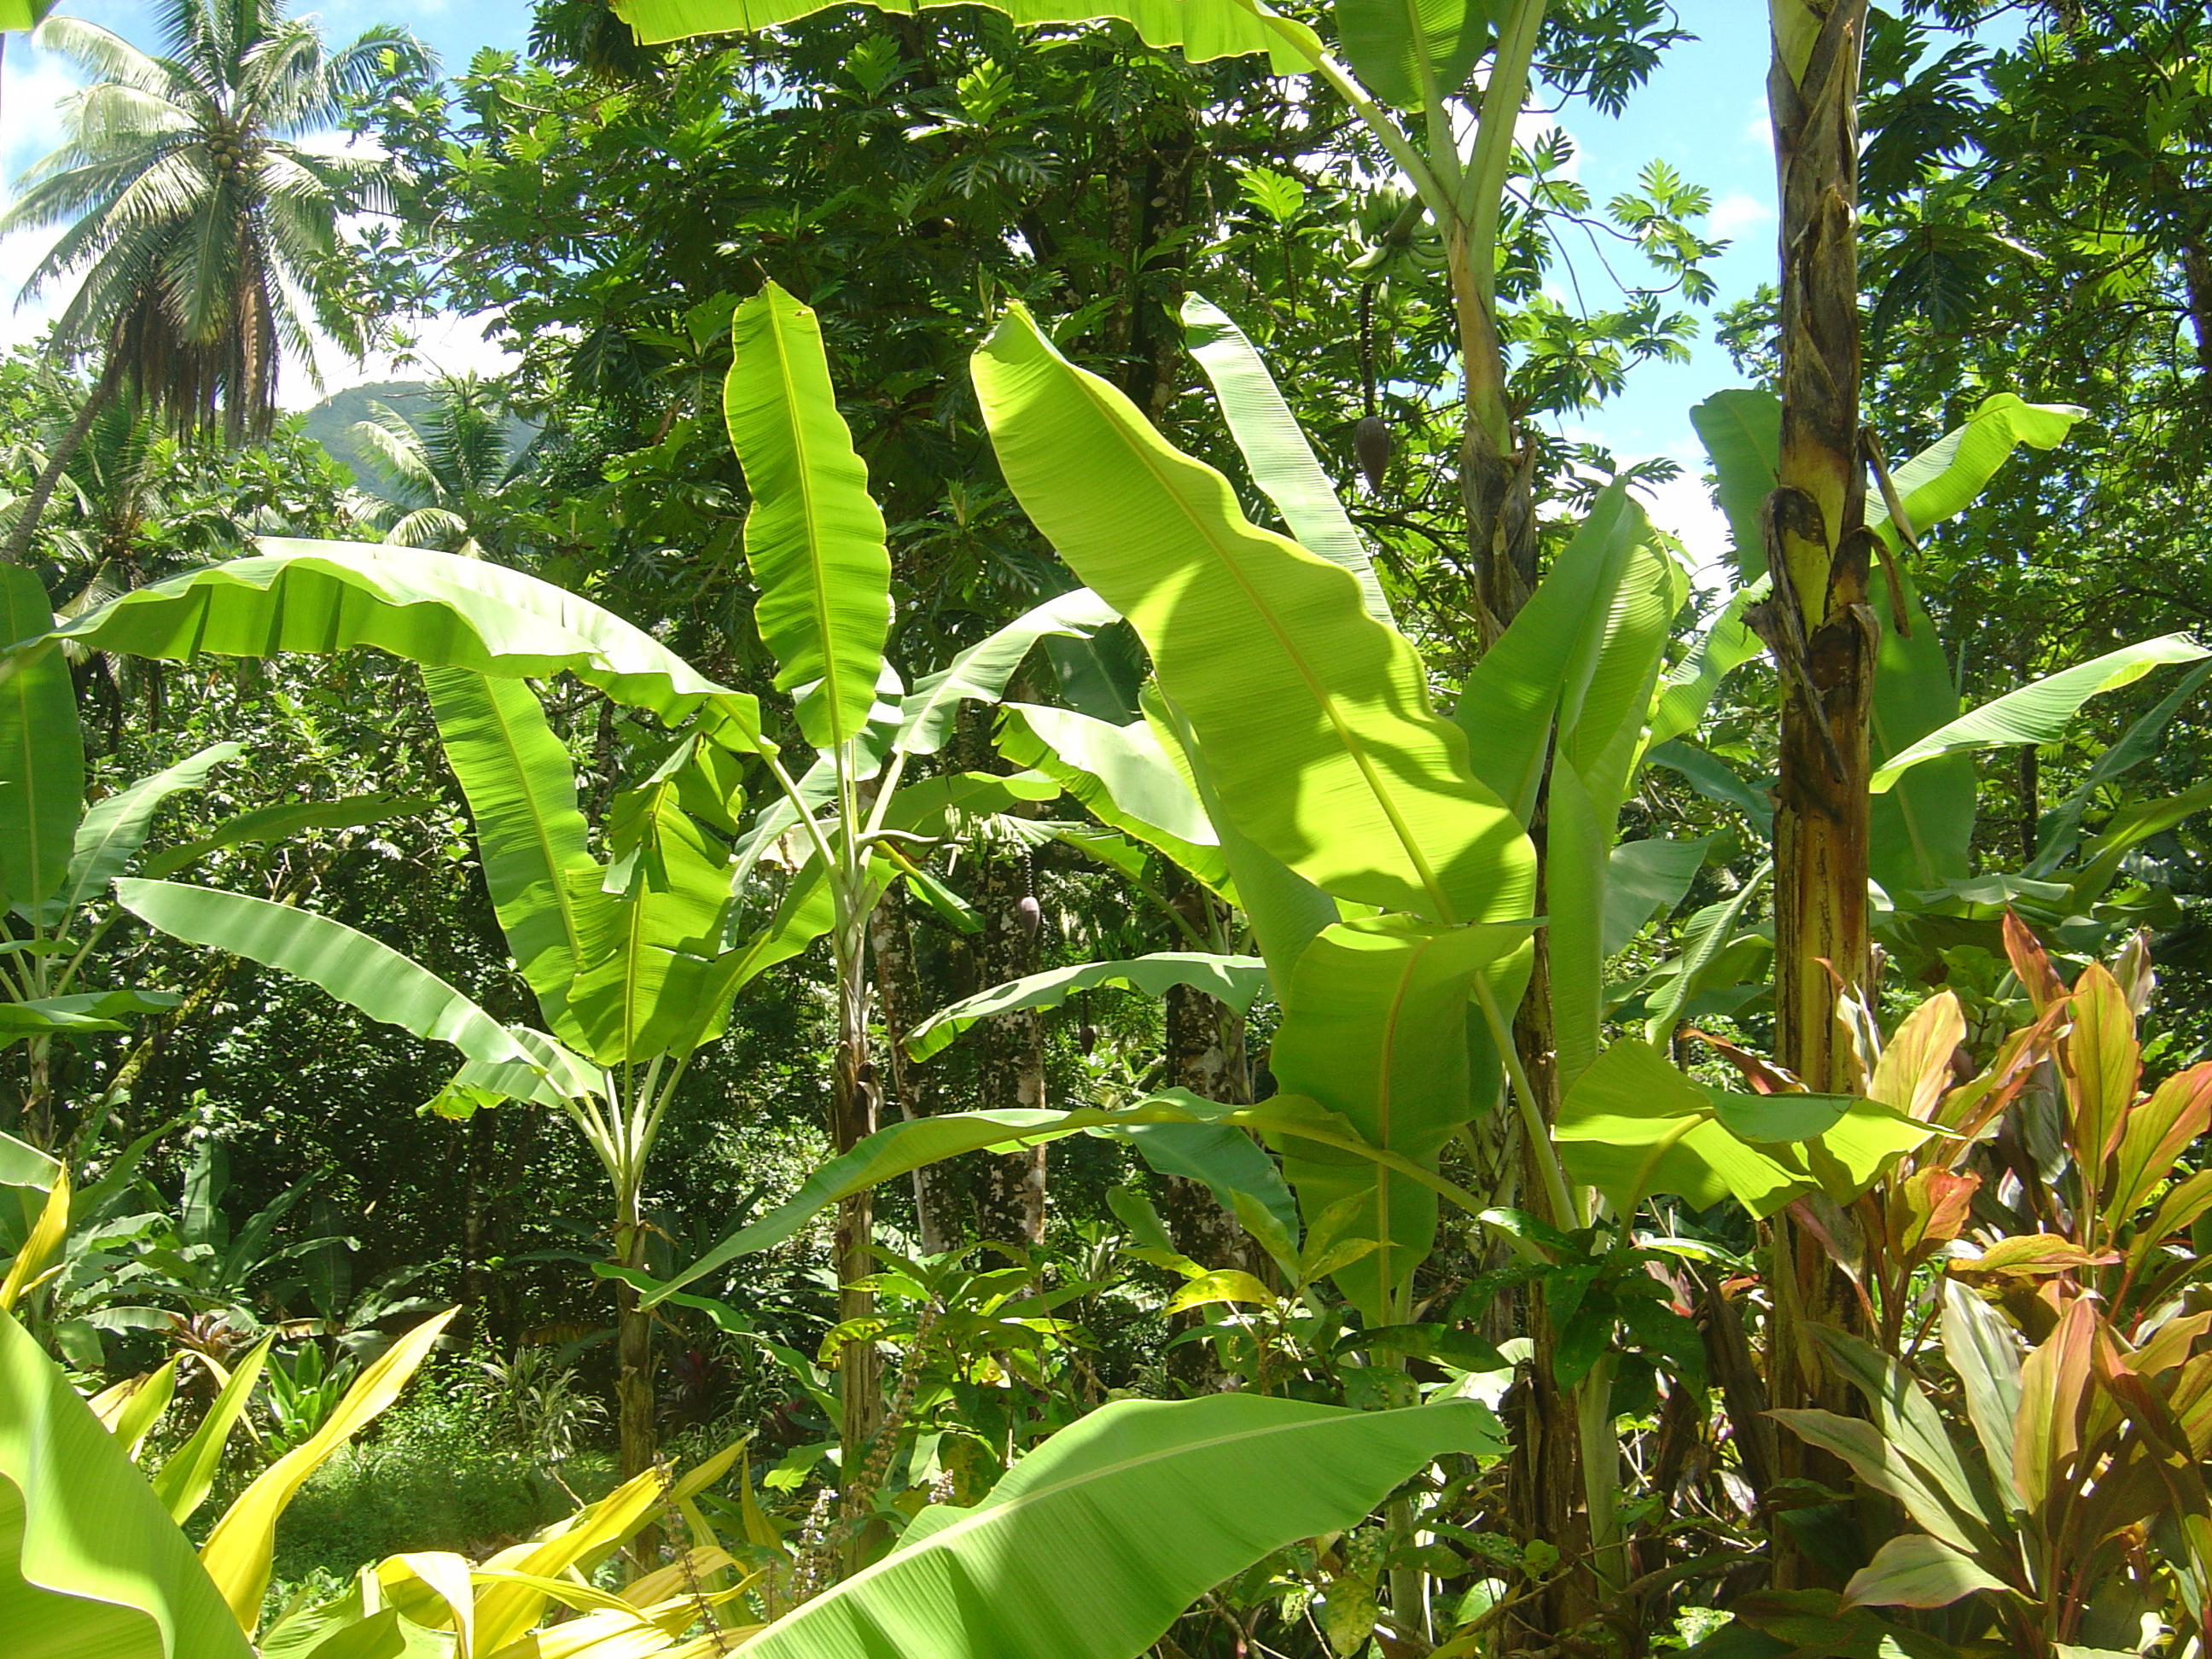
1704,114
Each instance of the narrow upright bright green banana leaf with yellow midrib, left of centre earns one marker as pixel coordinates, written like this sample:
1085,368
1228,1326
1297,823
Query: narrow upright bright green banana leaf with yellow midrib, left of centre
815,534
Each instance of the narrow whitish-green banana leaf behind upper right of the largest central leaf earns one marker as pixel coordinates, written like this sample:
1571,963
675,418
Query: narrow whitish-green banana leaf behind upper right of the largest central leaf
1275,448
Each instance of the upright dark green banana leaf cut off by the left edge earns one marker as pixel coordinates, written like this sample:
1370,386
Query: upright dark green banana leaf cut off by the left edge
41,751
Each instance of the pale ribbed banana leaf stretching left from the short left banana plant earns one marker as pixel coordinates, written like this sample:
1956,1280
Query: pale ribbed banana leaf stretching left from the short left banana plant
340,959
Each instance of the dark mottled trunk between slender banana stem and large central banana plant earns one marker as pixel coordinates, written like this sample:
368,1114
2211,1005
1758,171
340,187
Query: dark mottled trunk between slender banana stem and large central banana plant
1010,1198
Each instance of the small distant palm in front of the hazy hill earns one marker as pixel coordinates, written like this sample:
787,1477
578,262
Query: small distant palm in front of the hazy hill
446,472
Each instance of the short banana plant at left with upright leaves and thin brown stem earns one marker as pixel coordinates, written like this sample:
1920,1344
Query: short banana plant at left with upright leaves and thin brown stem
629,981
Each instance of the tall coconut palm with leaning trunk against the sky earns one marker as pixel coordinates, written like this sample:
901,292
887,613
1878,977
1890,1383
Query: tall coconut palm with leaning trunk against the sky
202,233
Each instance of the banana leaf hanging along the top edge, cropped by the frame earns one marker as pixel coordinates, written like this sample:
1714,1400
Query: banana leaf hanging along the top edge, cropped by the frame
1202,28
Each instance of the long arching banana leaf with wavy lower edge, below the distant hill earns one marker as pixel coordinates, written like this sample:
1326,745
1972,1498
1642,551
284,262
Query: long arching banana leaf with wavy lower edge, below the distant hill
435,609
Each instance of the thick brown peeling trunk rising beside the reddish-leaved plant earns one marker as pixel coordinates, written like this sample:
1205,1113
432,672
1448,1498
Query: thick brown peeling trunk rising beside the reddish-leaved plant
1824,638
